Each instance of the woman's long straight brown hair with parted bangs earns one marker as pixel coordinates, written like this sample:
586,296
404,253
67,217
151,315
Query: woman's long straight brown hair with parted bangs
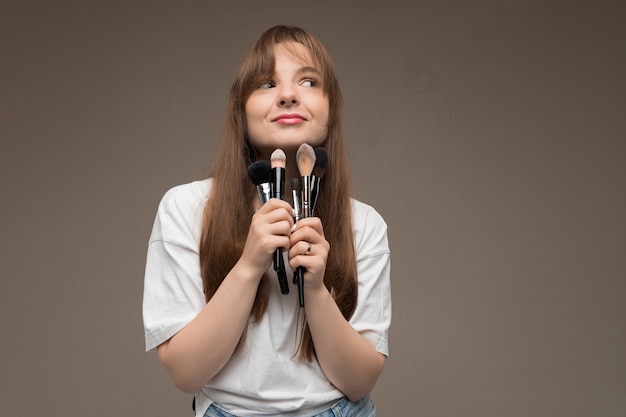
229,209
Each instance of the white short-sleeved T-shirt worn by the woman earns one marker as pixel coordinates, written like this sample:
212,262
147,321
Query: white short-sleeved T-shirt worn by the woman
264,377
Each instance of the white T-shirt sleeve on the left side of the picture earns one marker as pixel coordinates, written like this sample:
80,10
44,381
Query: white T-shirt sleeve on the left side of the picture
173,290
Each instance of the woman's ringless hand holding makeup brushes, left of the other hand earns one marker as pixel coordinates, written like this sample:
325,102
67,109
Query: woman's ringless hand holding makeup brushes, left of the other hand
270,229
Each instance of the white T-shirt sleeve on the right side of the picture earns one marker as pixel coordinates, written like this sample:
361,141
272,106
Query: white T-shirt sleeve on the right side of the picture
372,316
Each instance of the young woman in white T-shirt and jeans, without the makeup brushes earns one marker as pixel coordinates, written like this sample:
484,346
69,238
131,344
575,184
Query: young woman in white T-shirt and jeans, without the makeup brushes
212,305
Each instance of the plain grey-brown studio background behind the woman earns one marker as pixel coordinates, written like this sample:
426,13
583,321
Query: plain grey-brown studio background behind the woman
489,134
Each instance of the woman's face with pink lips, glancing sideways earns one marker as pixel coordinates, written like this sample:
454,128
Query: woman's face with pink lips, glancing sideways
290,108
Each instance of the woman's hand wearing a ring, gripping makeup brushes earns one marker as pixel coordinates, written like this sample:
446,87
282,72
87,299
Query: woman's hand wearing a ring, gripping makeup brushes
309,249
